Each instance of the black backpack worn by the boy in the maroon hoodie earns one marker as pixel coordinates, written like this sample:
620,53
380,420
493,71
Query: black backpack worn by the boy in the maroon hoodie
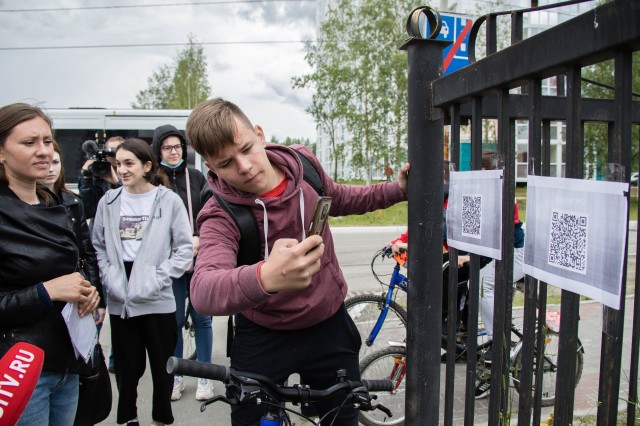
245,220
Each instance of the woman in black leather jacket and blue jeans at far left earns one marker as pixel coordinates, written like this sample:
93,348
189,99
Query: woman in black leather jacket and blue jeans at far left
38,264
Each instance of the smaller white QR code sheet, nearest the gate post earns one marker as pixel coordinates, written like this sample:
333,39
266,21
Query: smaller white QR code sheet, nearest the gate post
474,212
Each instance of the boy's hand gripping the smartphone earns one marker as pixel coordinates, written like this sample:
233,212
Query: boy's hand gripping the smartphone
291,265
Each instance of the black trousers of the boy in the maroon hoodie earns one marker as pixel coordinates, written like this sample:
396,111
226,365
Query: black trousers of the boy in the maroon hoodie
316,353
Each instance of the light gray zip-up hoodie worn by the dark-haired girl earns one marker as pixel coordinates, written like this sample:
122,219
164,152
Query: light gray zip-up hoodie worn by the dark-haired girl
166,252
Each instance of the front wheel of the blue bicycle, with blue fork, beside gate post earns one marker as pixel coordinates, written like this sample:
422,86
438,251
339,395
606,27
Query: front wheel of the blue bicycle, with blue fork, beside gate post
365,310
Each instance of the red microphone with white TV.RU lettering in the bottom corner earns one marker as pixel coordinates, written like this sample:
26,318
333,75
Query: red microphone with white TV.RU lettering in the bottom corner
20,369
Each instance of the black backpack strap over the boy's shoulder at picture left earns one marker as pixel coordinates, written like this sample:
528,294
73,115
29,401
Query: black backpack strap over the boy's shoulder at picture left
245,220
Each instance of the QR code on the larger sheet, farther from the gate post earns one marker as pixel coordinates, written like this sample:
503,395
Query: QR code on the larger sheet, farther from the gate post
568,241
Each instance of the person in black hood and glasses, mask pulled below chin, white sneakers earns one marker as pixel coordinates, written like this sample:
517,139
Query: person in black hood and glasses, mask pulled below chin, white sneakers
170,148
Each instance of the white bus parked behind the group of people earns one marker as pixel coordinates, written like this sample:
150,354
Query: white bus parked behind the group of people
73,126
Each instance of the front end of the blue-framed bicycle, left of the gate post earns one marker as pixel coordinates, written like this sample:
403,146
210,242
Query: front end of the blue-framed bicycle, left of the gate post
371,311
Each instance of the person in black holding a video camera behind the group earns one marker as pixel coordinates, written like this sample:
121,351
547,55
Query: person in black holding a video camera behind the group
93,184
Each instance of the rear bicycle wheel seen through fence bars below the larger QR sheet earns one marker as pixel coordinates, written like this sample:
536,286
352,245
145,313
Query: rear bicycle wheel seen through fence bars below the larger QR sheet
549,368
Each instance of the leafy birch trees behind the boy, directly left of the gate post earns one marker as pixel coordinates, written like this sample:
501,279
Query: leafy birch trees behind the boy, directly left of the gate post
360,82
